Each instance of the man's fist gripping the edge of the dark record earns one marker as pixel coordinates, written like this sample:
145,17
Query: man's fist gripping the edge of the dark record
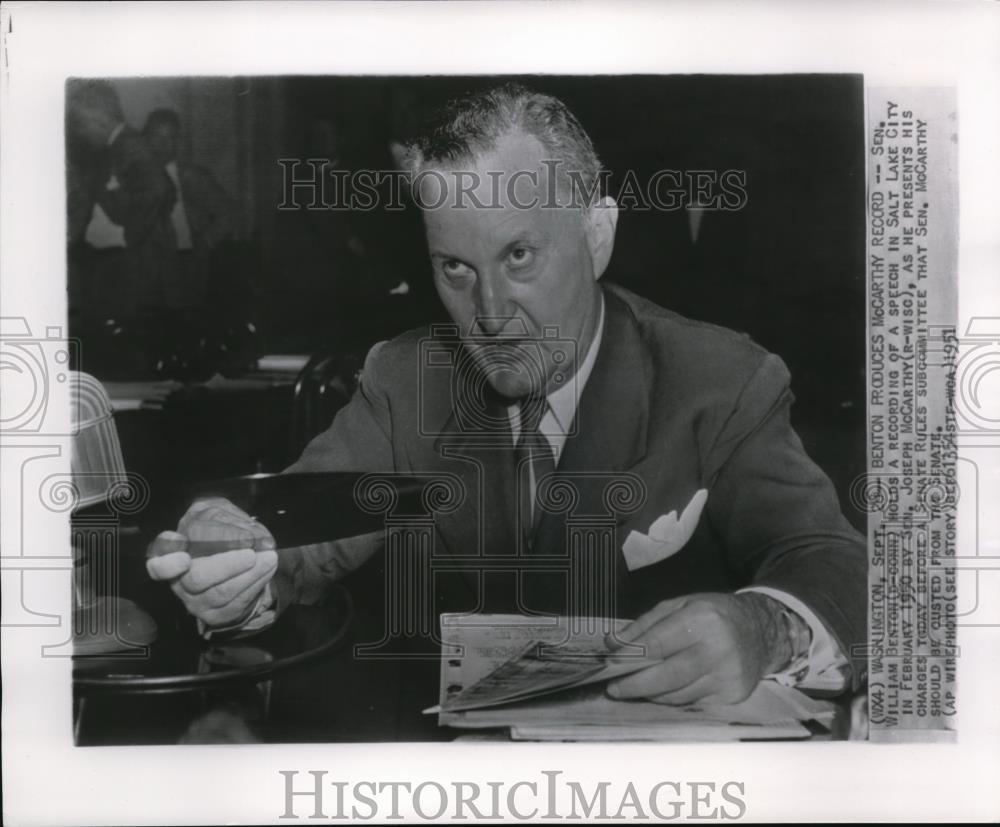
221,588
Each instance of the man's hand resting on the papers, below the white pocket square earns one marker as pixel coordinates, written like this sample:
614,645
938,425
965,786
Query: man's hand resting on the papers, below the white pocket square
713,648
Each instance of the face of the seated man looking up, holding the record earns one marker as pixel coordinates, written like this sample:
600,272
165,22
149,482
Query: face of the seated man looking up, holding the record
510,273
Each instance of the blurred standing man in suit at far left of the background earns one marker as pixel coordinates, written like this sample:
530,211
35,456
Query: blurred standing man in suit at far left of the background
121,246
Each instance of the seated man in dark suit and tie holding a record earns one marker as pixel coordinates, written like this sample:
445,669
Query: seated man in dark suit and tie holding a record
760,575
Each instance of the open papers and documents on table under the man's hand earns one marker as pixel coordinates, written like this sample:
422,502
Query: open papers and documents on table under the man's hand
544,679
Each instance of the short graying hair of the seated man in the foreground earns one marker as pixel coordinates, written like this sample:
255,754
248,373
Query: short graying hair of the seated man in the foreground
470,125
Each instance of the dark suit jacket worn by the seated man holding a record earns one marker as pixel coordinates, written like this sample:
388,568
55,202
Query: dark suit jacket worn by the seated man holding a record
679,405
